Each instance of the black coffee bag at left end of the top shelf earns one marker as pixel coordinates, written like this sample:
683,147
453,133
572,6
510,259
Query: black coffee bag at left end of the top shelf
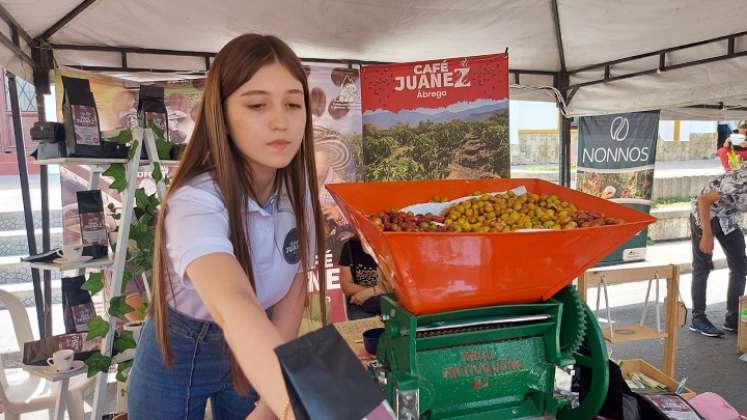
81,119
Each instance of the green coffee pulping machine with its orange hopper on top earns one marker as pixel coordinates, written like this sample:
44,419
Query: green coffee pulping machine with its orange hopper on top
479,322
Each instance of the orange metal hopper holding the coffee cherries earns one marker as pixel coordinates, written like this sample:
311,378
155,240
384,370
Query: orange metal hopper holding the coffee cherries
438,271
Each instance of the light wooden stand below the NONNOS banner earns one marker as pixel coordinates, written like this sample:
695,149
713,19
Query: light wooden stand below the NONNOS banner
638,332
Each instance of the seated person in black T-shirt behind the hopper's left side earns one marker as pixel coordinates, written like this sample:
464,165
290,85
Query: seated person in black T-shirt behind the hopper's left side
359,278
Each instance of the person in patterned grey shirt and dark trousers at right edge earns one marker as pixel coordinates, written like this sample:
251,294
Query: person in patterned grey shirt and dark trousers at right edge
715,214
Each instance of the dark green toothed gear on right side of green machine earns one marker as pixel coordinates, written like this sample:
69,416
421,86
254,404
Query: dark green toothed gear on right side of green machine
574,323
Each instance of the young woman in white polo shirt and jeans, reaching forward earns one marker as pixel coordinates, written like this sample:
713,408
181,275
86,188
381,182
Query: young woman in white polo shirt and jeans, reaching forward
235,238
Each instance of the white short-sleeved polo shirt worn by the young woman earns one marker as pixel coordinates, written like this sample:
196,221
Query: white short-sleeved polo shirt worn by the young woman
197,224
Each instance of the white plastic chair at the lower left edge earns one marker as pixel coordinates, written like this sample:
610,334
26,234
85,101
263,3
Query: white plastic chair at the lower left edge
22,392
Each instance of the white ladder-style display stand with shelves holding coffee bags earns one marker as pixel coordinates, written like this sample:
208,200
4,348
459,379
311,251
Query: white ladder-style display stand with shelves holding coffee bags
116,262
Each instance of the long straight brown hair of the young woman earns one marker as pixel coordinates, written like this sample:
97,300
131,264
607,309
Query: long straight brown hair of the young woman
210,150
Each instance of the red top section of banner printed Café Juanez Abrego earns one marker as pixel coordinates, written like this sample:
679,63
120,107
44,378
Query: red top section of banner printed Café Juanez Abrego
434,84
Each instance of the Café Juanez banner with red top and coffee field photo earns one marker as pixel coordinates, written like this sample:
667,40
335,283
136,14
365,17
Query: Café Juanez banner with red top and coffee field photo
436,119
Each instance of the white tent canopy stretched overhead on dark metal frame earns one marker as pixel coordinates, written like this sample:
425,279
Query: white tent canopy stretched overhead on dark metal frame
585,33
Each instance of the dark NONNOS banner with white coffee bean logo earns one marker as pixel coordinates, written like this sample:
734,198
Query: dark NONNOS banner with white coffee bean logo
616,156
